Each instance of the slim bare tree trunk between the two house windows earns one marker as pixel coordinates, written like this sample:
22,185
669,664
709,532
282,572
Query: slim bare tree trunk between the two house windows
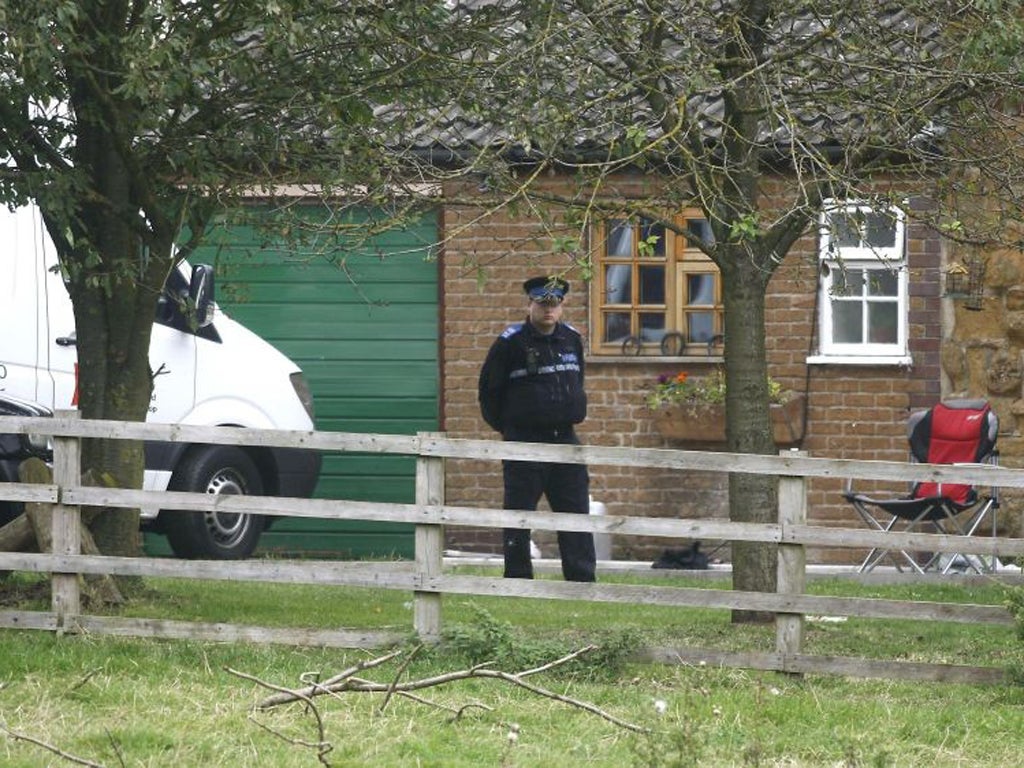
752,498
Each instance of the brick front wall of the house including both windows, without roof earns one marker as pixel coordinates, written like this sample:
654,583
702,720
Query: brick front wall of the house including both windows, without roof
860,385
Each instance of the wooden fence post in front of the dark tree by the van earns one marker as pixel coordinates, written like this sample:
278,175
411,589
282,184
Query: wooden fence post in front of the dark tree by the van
67,525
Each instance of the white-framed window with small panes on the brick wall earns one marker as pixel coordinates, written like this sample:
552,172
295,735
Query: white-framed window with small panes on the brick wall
864,284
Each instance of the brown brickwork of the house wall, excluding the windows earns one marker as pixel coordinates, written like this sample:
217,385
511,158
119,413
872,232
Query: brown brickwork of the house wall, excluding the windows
852,411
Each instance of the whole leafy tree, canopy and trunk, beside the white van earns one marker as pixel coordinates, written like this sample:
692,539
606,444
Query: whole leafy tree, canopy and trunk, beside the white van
131,123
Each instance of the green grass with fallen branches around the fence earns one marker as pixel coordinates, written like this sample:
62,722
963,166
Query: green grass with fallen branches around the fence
145,703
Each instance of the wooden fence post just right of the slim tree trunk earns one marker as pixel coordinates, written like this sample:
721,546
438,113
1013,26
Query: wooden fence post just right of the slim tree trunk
792,561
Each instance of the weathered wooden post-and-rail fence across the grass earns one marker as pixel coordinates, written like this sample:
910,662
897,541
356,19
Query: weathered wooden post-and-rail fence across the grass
426,578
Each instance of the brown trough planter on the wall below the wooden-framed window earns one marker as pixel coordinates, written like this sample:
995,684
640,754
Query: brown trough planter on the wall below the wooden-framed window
705,422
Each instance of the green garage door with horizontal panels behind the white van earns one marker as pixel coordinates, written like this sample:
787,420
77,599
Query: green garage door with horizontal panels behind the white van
361,317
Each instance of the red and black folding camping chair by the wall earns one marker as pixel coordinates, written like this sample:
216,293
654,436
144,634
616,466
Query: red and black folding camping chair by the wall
961,432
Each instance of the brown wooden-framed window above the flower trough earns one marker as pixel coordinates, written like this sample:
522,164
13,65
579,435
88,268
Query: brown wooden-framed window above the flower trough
655,292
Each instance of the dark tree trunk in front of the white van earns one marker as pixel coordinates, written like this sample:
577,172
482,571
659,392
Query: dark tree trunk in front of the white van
117,264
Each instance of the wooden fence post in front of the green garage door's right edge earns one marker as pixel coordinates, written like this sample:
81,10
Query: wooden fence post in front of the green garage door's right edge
430,547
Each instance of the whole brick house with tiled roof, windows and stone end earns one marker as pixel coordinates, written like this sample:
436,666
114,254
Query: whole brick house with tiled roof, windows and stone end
859,321
